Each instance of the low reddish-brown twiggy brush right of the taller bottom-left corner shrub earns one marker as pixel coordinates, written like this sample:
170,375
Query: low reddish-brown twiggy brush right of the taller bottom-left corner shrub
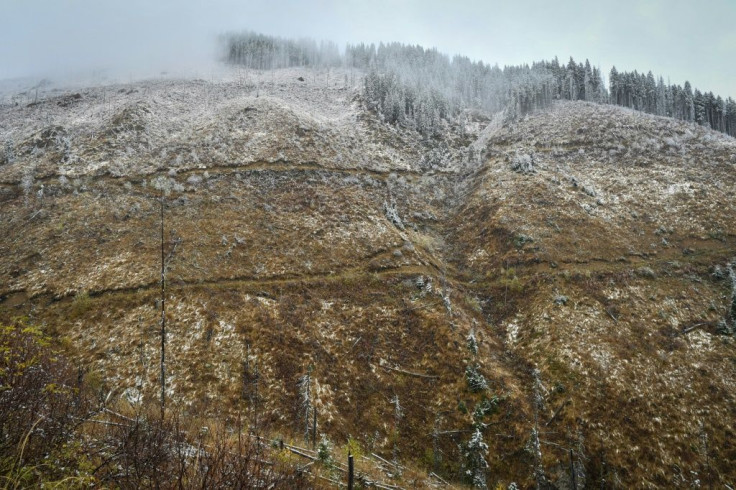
151,453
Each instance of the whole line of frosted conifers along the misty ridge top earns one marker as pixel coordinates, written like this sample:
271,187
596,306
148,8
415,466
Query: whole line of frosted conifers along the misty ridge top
416,87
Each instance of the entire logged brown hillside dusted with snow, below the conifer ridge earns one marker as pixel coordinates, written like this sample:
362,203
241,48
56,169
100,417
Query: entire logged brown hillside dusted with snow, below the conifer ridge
304,234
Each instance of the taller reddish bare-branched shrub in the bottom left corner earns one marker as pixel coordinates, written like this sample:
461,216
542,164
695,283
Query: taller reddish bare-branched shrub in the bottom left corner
41,406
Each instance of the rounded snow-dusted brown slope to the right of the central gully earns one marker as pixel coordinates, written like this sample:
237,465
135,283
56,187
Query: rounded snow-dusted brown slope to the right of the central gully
613,250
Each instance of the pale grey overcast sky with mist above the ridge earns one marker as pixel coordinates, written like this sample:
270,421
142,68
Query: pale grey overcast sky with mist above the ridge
681,39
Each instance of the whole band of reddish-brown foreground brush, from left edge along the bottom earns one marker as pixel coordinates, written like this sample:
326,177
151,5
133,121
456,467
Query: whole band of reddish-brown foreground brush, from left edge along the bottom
53,431
